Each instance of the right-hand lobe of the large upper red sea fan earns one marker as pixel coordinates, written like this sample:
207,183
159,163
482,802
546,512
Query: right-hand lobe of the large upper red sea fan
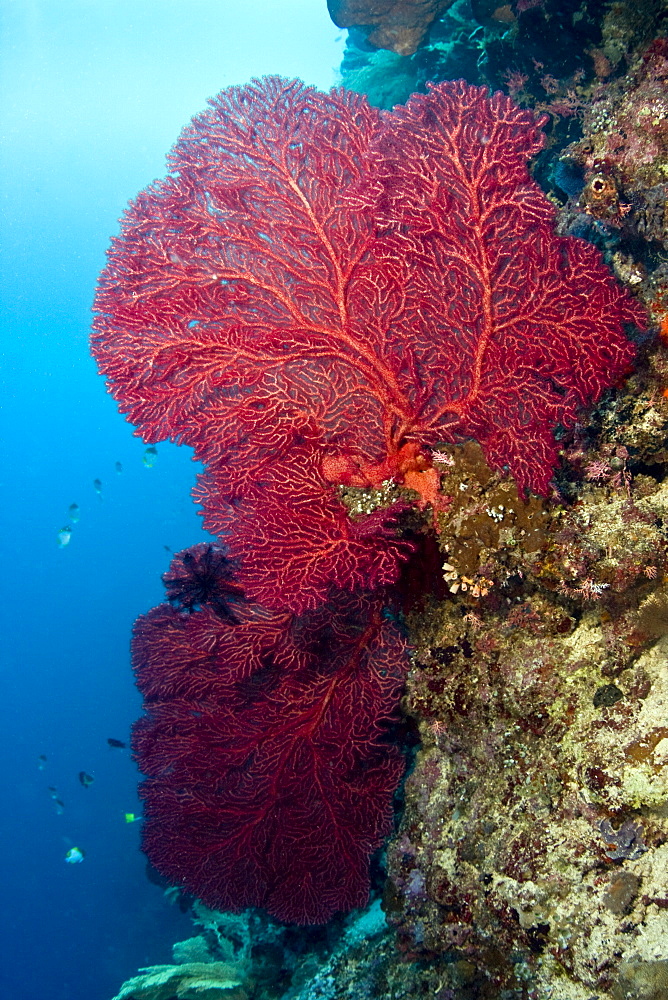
532,323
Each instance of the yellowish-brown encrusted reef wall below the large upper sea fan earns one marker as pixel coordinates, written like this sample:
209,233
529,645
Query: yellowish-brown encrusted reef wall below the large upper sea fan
534,841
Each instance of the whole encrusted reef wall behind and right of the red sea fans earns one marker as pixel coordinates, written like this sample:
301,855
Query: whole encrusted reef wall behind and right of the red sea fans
531,859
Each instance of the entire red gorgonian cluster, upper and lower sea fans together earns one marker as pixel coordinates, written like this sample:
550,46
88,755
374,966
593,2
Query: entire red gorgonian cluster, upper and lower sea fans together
316,295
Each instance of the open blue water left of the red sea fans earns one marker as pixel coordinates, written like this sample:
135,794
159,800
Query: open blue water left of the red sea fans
92,95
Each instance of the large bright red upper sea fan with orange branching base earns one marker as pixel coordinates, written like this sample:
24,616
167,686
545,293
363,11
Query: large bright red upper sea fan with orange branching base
319,292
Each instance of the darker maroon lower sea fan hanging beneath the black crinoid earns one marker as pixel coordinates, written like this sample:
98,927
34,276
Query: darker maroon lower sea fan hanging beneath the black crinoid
270,773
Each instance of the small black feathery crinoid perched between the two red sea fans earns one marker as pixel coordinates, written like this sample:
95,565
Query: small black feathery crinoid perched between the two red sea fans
203,575
